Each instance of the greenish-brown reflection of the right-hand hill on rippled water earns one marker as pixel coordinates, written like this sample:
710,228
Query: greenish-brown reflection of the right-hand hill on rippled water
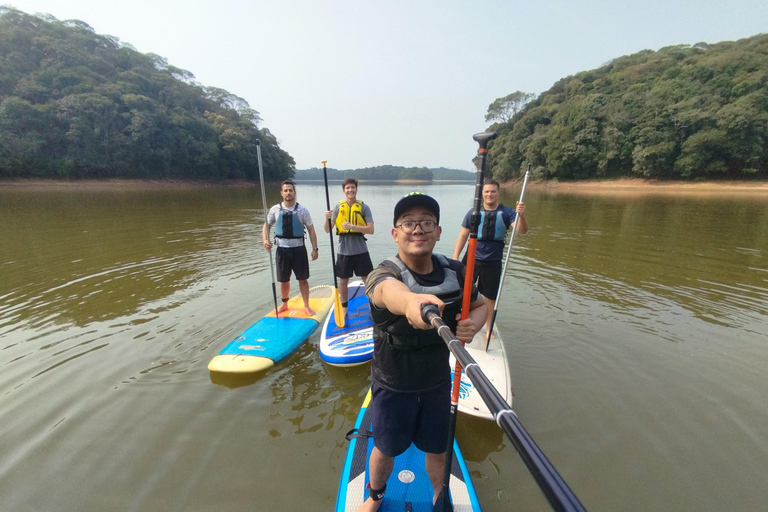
631,252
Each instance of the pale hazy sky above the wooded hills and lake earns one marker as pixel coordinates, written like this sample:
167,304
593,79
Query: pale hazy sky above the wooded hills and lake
363,83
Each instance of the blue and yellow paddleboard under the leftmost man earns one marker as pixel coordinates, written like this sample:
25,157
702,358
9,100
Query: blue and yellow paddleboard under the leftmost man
272,338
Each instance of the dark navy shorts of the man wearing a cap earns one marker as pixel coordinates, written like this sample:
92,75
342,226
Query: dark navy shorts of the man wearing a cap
400,419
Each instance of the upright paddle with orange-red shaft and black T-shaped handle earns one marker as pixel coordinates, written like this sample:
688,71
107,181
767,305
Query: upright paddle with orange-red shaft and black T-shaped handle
443,502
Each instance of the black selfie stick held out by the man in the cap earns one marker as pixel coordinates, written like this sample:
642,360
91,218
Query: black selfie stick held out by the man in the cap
557,492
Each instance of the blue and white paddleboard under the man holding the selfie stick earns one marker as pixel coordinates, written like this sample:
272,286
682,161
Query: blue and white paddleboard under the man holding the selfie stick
408,487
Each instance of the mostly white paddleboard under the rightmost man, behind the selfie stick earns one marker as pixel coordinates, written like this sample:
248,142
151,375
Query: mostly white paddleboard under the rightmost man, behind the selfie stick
495,366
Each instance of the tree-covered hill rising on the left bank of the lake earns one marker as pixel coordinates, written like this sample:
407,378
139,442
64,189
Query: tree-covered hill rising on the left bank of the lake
77,104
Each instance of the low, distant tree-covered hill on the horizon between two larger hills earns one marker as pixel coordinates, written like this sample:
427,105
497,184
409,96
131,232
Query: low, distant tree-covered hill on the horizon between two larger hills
387,173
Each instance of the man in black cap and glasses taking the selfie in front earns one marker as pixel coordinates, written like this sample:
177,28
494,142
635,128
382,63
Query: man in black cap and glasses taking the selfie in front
410,372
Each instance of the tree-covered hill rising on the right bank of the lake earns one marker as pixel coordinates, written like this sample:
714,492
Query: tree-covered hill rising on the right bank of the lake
683,112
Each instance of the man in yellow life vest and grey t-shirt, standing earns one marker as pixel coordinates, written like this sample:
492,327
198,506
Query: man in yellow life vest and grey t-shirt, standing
353,220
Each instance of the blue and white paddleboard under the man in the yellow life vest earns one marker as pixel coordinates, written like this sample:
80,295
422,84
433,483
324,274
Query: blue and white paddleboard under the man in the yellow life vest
352,344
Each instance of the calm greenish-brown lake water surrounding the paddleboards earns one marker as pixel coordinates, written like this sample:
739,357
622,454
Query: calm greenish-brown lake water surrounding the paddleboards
637,331
